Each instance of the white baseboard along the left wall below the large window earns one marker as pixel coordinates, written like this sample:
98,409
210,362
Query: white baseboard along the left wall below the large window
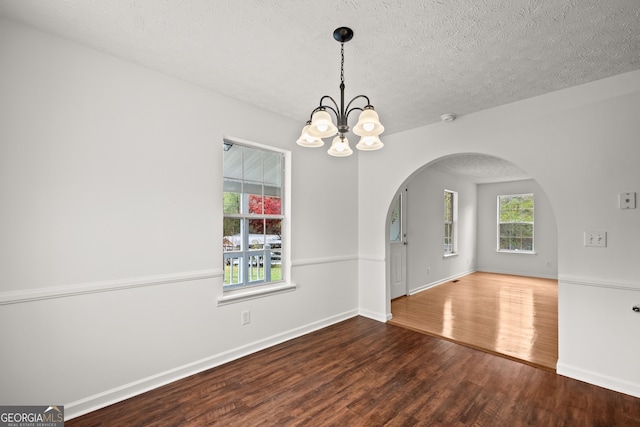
126,391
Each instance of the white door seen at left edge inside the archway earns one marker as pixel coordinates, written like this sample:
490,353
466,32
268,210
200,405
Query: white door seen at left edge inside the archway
398,246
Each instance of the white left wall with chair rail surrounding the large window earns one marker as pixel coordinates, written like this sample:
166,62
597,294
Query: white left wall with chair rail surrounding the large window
111,224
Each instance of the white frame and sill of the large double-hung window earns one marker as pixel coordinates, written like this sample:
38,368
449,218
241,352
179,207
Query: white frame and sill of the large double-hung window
249,289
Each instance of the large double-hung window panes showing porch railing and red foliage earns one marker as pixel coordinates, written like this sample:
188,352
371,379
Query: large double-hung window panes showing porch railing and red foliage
253,215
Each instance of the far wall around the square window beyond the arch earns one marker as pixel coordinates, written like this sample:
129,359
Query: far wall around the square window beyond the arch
545,261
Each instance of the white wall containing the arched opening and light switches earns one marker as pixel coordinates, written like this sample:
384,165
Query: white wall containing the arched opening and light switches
581,146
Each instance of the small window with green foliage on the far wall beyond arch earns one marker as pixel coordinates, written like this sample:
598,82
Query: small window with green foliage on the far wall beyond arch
515,223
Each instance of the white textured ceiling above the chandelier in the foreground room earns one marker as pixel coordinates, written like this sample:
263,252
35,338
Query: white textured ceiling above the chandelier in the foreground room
414,59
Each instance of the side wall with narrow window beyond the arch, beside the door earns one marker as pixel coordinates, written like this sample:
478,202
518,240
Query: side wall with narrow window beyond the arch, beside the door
426,265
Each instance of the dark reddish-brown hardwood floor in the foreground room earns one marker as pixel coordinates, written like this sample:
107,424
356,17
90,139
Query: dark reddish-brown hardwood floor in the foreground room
361,372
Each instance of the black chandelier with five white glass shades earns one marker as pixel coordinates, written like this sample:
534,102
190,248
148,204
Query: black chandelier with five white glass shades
321,125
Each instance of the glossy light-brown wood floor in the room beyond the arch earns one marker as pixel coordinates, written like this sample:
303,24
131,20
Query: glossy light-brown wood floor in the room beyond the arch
512,316
